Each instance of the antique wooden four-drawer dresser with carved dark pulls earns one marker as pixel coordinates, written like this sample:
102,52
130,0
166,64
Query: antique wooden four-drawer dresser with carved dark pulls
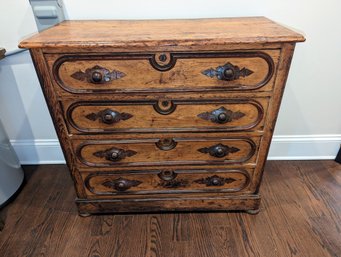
164,115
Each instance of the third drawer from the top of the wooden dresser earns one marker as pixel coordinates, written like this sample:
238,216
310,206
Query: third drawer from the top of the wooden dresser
169,150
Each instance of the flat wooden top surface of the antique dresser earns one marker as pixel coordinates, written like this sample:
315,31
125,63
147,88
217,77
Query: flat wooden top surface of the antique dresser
142,33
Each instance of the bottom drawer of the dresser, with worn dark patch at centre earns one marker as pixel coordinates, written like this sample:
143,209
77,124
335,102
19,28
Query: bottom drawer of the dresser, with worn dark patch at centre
166,181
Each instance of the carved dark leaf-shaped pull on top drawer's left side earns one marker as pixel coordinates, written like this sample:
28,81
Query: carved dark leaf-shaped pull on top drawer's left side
98,75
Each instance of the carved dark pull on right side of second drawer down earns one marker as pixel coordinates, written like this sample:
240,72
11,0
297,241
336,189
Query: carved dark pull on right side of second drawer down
221,115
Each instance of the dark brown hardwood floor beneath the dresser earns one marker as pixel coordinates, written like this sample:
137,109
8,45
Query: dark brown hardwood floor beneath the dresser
300,216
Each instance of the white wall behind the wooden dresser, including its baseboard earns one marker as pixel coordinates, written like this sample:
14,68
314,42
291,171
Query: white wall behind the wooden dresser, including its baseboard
309,123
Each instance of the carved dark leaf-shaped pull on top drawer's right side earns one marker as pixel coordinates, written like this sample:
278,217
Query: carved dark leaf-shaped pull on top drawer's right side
227,72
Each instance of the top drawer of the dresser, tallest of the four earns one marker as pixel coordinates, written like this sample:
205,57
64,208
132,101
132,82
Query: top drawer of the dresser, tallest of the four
163,72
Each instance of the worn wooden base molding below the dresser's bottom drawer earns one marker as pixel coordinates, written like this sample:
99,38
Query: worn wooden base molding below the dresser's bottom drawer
248,203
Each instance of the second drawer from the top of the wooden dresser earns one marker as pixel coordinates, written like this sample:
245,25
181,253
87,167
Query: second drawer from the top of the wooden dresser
166,115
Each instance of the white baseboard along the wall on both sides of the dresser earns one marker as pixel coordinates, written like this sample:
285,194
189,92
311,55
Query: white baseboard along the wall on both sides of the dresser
298,147
